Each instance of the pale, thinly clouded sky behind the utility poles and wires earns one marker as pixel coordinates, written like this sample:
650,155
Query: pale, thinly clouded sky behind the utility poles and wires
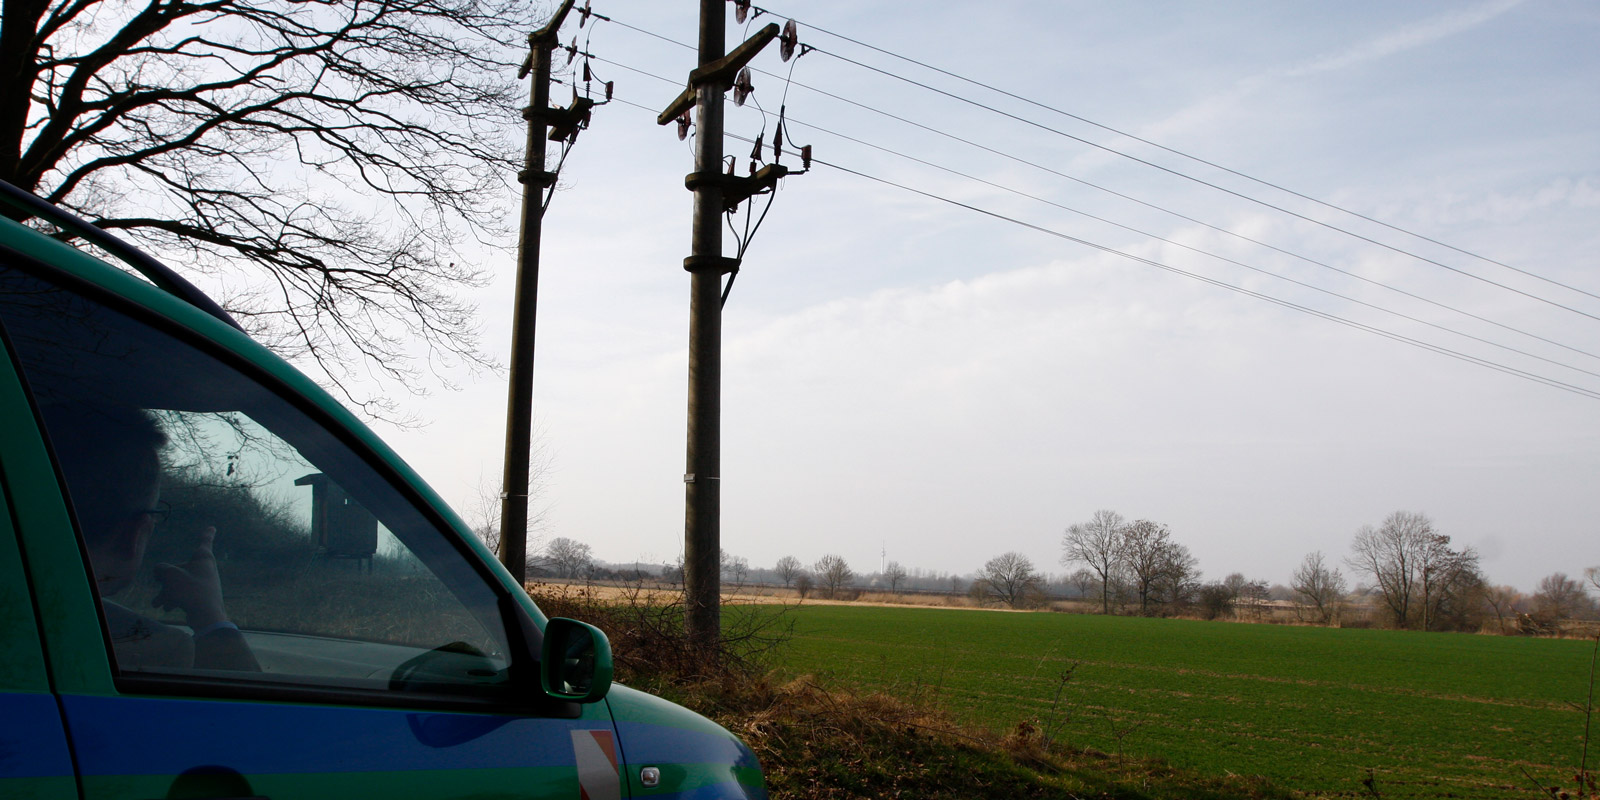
914,380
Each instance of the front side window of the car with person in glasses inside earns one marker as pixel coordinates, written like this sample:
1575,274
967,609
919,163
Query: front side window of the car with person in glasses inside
231,535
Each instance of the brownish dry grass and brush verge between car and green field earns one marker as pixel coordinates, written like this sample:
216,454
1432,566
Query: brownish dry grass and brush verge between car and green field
822,740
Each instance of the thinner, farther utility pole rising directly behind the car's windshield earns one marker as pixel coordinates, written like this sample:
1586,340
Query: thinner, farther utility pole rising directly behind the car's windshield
535,182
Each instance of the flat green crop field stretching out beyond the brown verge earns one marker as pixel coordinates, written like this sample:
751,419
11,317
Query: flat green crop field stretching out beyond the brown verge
1308,708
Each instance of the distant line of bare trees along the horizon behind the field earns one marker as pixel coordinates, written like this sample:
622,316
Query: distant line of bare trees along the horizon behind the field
1412,577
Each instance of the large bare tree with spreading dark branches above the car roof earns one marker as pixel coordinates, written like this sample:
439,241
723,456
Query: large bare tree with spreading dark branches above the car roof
321,158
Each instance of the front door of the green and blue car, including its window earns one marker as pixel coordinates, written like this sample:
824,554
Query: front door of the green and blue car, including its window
244,593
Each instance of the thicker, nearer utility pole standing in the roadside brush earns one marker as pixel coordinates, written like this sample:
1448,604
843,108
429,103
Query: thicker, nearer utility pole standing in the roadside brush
714,194
